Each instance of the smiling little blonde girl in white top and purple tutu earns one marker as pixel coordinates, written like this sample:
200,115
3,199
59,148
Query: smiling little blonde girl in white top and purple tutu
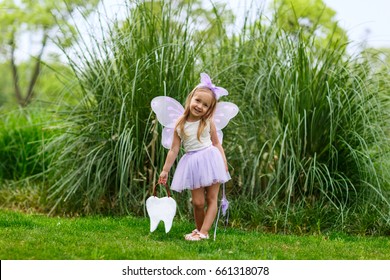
204,167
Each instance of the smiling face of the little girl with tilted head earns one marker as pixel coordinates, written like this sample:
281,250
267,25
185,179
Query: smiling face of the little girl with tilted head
200,104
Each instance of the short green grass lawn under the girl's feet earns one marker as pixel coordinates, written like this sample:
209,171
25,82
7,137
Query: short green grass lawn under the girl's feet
32,236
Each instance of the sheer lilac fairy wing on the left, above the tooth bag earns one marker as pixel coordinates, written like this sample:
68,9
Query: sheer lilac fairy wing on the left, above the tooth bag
167,110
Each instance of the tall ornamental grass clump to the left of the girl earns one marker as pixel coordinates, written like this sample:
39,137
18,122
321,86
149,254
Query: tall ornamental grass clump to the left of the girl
108,158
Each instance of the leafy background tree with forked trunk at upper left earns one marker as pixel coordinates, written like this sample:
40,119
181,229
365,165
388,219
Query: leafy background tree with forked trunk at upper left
42,19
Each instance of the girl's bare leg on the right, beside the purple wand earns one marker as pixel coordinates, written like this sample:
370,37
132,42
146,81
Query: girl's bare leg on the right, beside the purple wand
212,208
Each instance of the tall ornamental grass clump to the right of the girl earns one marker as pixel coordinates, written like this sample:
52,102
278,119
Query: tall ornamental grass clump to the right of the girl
311,143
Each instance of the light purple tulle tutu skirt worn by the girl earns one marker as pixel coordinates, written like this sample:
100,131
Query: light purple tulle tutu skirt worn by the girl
200,169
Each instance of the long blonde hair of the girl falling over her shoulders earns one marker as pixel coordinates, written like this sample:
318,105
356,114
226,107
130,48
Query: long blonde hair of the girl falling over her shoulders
203,121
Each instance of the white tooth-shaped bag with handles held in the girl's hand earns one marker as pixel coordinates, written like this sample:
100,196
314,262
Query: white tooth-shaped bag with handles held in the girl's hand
161,209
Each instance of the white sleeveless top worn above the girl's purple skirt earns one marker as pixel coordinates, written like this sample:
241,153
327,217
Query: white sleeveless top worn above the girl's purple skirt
190,140
